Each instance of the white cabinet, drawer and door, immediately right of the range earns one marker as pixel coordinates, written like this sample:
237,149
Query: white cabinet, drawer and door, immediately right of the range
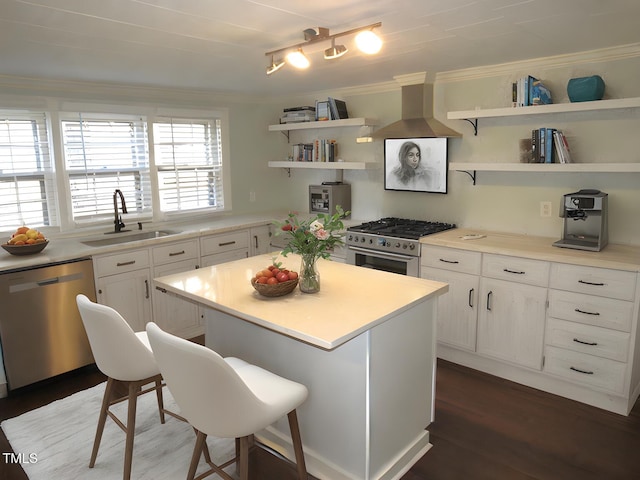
458,308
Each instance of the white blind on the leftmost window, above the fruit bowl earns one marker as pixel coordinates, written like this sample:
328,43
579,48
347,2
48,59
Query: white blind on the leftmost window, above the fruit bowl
27,195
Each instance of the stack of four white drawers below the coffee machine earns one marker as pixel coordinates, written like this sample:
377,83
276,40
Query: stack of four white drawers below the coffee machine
589,324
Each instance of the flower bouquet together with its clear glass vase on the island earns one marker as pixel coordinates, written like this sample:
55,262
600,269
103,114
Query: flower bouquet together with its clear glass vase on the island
312,239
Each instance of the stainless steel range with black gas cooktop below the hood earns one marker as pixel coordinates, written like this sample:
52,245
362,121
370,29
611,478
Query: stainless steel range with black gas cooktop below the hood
390,244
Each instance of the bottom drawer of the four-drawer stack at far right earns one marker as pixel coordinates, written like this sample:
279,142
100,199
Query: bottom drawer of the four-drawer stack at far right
586,369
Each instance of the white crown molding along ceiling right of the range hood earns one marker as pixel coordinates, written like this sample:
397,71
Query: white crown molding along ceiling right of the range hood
591,56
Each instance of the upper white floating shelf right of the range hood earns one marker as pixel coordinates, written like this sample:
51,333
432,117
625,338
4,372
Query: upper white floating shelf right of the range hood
613,104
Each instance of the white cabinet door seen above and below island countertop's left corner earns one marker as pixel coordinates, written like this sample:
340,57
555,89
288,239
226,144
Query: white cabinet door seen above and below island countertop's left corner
173,314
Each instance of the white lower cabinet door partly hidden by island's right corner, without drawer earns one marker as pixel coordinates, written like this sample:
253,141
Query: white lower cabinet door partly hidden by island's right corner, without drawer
457,309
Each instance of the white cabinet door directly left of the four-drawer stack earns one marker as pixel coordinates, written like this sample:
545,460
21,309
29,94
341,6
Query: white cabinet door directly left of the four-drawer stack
511,321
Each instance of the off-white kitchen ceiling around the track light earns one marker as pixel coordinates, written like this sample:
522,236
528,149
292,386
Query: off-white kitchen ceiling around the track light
220,45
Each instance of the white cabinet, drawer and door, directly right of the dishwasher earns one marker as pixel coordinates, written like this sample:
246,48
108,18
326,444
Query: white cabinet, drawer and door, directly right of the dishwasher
123,281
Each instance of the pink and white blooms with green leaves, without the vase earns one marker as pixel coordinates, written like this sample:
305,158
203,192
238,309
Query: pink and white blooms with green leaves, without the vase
315,237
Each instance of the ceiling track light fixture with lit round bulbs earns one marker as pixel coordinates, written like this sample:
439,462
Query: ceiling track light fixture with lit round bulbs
366,40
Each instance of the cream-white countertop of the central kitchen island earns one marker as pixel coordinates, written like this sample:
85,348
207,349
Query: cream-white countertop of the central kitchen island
351,299
